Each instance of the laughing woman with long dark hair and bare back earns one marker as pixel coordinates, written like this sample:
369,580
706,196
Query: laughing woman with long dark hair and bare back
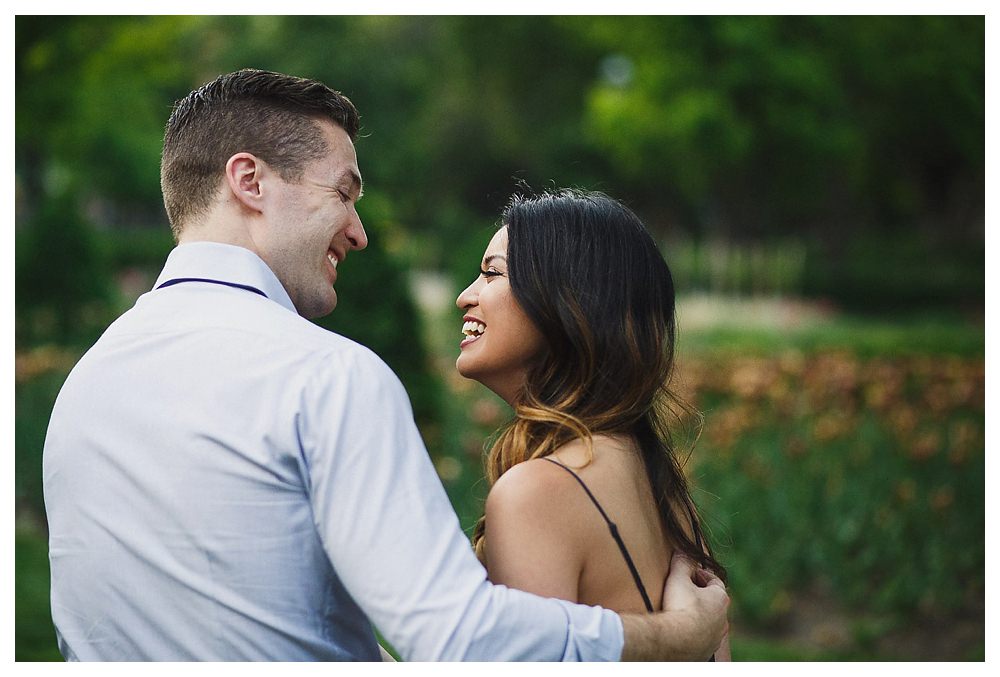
571,321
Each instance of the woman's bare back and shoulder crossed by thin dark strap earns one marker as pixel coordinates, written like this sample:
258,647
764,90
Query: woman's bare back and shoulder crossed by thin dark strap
544,533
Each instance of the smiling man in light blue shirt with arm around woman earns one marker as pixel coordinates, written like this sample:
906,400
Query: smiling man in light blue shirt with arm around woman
225,480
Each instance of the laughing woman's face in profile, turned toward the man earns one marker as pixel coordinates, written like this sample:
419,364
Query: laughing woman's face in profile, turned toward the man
500,342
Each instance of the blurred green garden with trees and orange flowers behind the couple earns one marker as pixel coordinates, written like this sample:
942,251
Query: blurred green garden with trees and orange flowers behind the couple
817,187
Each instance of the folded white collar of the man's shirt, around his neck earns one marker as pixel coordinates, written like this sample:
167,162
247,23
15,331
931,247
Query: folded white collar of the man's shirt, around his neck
226,263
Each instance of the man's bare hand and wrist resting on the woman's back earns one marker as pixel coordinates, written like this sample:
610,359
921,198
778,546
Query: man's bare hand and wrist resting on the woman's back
692,624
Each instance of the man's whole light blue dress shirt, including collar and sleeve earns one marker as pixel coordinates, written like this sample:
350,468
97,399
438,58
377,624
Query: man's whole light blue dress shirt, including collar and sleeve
225,480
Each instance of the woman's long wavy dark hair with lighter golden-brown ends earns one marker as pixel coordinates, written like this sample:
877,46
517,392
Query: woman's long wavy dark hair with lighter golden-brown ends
589,276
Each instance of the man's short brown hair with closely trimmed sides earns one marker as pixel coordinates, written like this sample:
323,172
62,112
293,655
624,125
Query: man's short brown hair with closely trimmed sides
270,115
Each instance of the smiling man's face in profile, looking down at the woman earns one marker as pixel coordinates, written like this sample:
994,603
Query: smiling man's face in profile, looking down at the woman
313,224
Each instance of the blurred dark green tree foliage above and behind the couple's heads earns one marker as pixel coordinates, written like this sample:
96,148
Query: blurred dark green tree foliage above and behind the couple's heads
747,129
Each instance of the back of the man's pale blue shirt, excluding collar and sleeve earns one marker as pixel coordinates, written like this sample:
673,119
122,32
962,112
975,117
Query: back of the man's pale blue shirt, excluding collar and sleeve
177,497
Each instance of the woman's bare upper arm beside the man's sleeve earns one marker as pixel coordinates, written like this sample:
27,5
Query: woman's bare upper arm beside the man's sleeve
533,540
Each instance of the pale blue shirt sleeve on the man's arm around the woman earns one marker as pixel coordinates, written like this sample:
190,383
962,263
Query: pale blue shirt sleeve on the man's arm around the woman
395,541
